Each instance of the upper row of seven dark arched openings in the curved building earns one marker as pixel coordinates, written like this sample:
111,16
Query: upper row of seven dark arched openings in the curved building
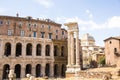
18,49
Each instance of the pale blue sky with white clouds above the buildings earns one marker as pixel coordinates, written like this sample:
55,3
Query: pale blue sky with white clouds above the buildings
99,18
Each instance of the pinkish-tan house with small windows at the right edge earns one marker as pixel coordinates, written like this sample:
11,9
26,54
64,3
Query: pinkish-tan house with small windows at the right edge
112,50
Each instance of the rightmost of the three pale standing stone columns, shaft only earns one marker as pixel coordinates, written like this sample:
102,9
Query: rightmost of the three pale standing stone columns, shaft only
77,50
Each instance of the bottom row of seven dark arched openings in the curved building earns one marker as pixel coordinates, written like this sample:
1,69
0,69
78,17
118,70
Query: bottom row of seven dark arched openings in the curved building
38,70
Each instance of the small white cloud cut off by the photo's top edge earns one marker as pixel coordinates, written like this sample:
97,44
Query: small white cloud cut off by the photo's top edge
46,3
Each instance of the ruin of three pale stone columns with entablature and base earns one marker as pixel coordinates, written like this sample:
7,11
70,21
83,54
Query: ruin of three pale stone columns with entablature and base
73,65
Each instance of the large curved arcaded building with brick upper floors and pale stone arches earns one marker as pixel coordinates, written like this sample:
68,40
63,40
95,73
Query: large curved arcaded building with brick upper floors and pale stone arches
37,47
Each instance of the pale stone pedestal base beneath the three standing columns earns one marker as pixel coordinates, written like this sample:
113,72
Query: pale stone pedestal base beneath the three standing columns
72,70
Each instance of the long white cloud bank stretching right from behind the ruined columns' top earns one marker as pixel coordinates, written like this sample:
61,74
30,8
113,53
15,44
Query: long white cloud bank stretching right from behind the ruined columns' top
111,23
